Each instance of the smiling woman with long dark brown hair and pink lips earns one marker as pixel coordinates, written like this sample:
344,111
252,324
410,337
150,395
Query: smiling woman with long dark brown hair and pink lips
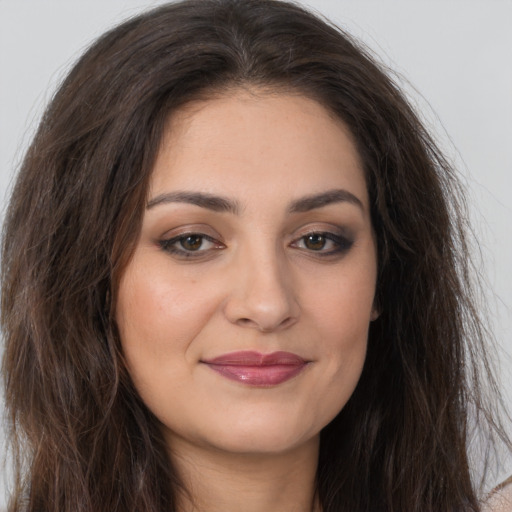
234,278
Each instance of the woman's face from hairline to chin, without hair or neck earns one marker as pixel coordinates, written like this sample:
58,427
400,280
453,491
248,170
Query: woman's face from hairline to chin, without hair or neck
244,311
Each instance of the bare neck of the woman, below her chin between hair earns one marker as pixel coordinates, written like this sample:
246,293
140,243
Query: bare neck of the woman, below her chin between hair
225,482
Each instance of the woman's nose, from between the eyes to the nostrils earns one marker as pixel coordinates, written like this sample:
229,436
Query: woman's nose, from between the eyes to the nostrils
262,293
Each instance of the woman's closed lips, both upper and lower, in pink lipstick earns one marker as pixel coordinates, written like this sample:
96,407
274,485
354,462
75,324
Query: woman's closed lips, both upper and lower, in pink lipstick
257,369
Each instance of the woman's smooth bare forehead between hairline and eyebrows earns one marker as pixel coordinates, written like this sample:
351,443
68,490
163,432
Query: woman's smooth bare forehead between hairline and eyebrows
250,143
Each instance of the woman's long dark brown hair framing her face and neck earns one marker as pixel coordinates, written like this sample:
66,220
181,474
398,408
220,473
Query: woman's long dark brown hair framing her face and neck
83,439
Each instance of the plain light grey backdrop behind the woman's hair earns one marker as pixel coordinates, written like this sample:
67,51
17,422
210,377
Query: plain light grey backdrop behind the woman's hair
455,57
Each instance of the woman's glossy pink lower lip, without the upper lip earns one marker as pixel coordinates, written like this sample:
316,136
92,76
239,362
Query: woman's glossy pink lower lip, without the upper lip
263,376
